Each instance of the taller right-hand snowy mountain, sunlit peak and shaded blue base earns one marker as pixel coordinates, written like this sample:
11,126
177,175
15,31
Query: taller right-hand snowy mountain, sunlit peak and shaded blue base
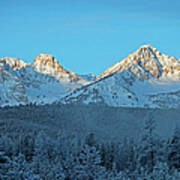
146,78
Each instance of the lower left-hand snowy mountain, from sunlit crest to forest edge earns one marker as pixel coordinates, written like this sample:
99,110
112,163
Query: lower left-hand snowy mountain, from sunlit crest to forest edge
43,81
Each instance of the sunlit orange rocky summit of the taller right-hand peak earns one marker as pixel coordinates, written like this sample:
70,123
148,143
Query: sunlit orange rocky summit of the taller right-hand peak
147,63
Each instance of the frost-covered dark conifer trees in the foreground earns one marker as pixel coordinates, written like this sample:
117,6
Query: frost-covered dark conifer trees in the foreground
36,155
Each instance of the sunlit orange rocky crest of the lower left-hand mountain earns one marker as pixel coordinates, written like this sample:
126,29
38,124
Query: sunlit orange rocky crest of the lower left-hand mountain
44,64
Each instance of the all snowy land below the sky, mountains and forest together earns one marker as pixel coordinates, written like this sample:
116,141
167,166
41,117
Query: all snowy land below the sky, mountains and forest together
124,124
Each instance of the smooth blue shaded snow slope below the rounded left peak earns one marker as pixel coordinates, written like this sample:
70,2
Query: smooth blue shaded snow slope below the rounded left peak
40,88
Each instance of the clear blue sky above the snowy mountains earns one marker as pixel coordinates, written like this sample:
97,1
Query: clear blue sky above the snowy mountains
87,36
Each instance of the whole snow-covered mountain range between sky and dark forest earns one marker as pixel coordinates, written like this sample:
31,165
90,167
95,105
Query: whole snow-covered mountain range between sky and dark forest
146,78
